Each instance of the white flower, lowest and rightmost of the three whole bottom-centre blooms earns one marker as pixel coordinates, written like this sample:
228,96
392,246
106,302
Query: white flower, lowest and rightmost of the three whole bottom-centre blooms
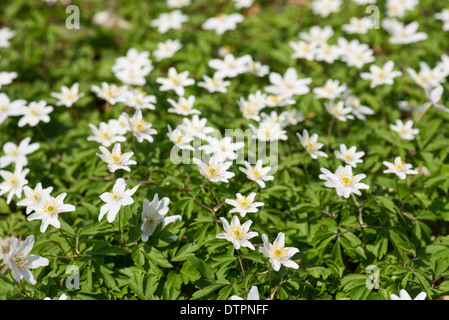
278,253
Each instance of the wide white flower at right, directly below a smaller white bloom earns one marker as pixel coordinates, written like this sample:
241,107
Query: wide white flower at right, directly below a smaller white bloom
343,181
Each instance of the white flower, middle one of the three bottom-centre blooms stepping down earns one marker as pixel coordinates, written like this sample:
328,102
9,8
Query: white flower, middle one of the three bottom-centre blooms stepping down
237,234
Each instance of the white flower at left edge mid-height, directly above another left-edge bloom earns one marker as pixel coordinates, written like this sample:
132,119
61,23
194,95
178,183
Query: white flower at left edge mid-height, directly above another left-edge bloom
17,154
